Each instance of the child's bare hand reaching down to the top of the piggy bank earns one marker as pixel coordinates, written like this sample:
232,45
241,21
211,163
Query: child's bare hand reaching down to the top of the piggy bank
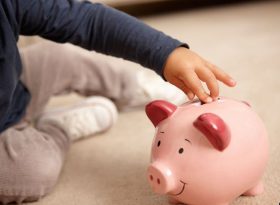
185,69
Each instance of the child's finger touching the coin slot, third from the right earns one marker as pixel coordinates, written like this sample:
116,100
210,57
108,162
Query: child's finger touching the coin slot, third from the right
192,81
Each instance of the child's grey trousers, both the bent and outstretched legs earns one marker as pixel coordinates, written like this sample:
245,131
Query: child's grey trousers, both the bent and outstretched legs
31,157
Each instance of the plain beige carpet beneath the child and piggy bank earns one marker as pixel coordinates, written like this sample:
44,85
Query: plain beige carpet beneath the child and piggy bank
242,39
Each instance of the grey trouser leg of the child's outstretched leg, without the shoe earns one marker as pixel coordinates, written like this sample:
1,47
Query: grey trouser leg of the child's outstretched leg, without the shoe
53,69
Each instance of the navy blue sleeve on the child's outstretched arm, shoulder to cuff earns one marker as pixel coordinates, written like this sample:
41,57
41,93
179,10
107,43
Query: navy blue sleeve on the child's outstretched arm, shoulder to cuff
96,27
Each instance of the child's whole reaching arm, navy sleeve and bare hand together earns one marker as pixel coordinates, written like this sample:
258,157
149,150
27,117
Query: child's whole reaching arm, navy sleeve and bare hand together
106,30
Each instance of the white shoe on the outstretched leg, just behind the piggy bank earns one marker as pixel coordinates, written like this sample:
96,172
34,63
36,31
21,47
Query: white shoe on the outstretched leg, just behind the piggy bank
153,87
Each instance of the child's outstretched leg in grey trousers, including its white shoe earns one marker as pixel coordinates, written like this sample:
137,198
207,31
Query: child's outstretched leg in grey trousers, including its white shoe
65,68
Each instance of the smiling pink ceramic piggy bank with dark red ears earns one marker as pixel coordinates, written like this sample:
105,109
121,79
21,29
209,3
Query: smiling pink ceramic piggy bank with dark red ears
207,153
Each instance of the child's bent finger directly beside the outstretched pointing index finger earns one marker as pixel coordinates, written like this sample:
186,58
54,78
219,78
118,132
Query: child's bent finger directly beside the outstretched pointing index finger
207,76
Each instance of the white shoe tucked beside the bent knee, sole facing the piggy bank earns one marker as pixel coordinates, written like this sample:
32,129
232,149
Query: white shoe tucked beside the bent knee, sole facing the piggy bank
92,115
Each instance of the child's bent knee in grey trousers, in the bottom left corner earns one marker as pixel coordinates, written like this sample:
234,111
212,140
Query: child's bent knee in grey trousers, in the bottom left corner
29,169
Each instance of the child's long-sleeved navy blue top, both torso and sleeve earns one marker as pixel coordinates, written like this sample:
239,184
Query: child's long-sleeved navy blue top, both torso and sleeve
91,26
